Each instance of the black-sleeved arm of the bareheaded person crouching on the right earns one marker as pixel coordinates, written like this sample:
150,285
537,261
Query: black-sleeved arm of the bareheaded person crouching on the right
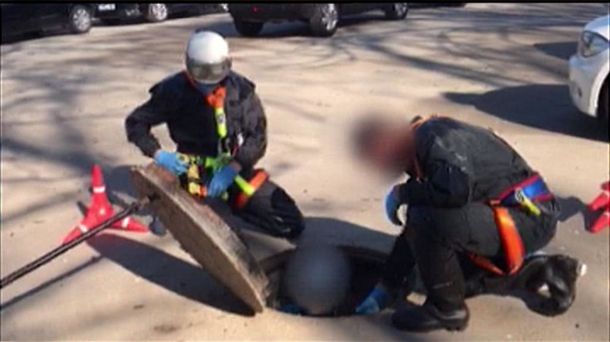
448,181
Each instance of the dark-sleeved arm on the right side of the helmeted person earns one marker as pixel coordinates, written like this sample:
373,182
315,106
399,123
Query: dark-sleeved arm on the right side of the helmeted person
254,133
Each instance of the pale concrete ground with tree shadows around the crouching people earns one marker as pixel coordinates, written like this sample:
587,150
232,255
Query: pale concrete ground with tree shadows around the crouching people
64,99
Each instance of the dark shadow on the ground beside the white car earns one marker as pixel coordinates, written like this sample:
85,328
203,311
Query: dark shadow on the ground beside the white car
542,106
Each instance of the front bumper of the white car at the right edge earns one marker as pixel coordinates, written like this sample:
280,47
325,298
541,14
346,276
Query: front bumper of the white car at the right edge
583,82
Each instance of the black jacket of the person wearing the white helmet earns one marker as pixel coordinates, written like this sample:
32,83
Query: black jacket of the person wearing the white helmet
191,121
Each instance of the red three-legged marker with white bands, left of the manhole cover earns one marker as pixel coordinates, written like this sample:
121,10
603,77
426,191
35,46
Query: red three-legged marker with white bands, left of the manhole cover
100,210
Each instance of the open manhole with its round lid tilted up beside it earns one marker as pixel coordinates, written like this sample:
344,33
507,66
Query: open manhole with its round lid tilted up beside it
208,238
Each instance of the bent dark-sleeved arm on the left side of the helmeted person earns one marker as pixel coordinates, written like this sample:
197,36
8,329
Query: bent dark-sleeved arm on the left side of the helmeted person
153,112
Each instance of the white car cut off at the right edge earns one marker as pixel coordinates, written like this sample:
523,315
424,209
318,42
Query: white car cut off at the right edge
589,81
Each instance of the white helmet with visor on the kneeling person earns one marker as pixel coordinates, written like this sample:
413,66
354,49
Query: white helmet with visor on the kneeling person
207,57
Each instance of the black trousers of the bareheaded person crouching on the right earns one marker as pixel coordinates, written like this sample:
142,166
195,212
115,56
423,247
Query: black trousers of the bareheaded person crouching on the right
438,239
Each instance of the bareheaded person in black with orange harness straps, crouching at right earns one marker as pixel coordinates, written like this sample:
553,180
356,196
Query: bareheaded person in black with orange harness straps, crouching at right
476,214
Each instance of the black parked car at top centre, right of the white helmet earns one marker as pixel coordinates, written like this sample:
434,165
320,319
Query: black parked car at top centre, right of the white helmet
249,18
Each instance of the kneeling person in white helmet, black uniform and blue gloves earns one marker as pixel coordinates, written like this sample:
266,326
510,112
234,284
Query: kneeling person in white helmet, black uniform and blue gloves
218,124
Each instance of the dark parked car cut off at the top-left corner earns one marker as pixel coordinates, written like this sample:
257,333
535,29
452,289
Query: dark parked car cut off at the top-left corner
21,18
